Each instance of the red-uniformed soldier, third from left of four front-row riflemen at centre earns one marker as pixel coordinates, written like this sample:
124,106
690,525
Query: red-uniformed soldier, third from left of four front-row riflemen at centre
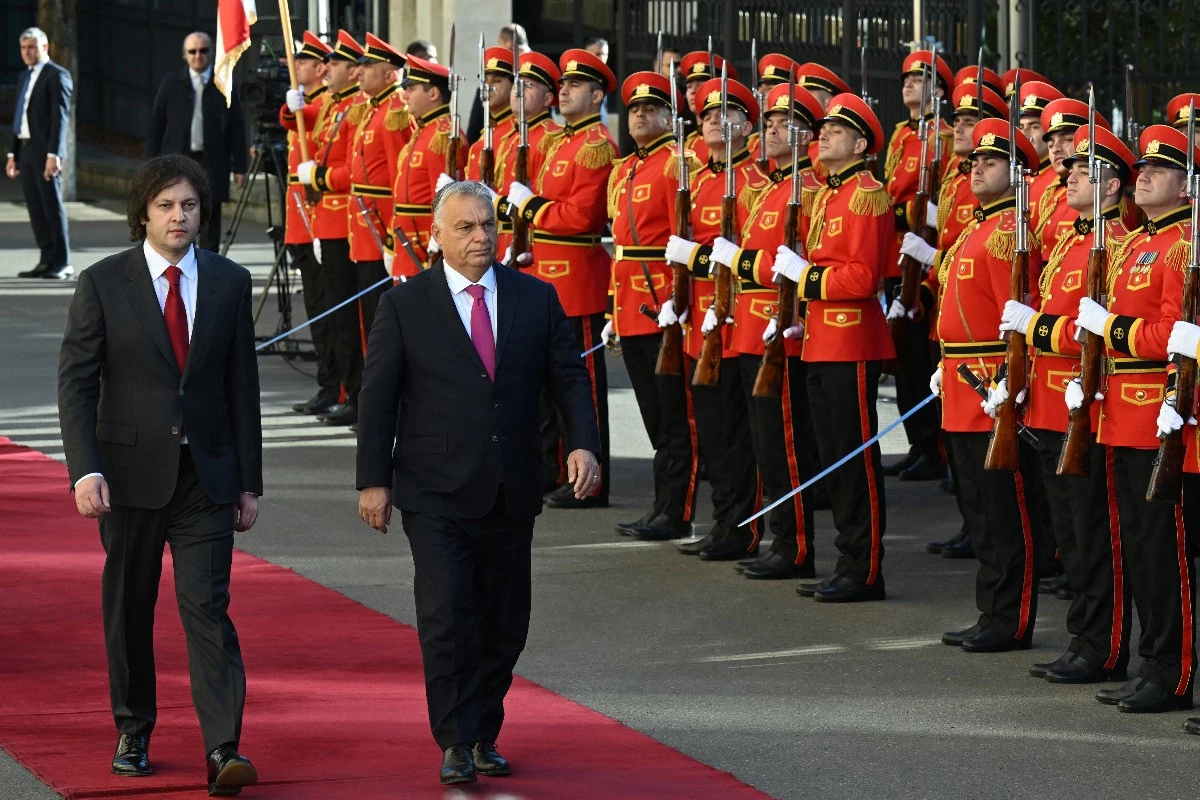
781,426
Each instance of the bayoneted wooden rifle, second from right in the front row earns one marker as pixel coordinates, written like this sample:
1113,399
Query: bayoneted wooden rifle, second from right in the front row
1076,454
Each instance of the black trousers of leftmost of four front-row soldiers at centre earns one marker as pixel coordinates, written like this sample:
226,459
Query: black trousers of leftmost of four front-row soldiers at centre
667,413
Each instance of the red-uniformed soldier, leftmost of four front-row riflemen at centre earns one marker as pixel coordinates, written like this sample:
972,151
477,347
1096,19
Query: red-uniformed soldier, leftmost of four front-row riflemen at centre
643,195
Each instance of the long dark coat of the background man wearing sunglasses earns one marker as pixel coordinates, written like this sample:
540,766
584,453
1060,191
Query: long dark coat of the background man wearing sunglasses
225,133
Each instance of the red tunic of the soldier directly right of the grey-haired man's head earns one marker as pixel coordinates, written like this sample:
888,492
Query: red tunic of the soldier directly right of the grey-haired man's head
569,214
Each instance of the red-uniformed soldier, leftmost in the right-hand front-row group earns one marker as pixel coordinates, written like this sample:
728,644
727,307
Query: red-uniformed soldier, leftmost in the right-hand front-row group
975,285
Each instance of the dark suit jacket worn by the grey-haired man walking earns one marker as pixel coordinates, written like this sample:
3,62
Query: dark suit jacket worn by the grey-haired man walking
435,428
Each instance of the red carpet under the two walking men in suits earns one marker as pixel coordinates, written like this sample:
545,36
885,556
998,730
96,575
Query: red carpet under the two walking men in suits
335,701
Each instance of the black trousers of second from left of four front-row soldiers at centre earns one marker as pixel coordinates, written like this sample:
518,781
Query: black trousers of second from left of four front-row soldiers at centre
723,428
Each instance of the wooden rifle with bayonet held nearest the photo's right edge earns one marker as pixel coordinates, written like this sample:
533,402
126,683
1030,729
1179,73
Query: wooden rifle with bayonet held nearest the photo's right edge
1167,478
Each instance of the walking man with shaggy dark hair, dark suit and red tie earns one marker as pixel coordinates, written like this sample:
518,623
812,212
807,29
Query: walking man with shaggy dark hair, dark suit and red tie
159,407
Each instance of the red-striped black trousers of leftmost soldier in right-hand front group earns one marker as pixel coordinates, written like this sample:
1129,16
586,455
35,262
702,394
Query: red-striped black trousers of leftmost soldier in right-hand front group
1003,533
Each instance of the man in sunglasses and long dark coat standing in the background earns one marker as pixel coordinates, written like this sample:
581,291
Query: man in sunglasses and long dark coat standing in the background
191,117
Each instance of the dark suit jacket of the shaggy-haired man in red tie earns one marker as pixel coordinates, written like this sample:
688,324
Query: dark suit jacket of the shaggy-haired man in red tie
123,402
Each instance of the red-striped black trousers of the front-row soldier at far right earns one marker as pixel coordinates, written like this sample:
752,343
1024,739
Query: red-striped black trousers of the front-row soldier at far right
1162,576
